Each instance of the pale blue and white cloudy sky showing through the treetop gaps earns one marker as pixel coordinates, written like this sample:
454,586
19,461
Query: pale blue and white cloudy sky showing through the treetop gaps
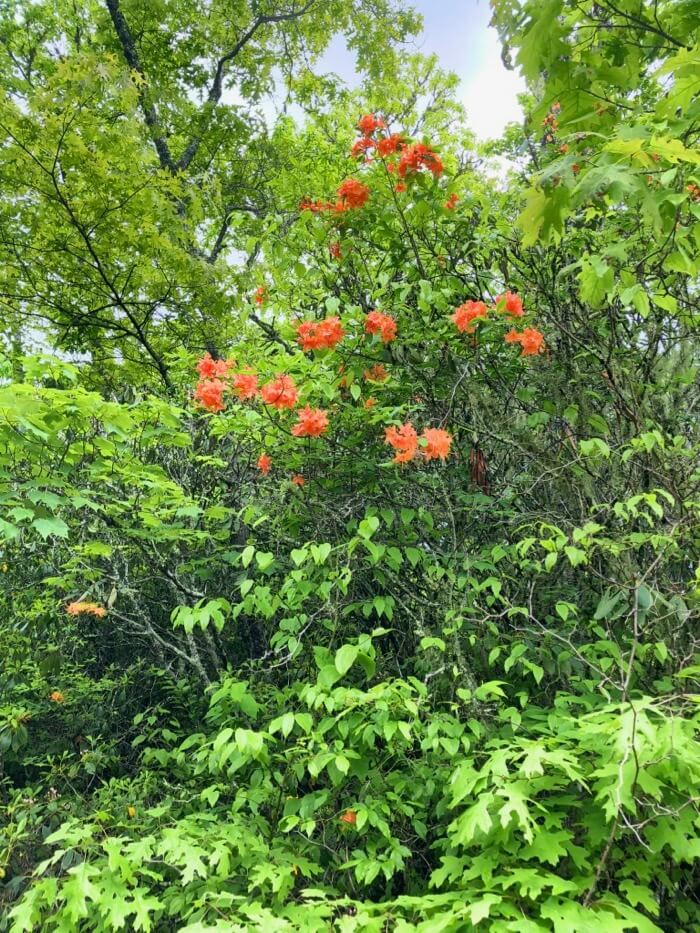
458,32
